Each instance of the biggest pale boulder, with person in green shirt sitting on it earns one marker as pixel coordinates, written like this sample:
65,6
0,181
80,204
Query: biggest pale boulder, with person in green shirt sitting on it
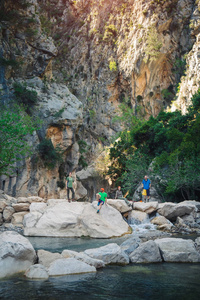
75,219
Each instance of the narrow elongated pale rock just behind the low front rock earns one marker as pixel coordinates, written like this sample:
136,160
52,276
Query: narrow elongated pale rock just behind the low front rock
97,263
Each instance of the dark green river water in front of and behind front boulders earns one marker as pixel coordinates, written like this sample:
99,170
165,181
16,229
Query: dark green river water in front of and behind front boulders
170,281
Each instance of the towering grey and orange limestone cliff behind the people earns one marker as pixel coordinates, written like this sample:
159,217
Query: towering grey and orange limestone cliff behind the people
84,58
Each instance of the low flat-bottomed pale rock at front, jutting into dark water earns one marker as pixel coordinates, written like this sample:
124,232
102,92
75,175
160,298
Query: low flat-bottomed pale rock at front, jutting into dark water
66,266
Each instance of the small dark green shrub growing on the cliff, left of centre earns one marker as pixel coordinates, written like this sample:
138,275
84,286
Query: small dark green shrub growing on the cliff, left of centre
49,155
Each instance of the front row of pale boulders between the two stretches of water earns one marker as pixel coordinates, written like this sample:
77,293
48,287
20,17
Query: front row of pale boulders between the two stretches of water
18,255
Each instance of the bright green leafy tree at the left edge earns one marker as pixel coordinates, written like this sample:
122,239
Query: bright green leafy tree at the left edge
15,125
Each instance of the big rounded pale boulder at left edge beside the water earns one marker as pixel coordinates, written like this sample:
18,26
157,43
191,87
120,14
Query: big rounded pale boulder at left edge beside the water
16,253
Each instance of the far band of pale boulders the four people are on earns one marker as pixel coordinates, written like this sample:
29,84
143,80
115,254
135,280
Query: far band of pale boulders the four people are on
35,216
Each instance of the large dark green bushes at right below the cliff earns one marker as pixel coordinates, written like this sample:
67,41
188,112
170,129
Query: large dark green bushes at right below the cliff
170,145
